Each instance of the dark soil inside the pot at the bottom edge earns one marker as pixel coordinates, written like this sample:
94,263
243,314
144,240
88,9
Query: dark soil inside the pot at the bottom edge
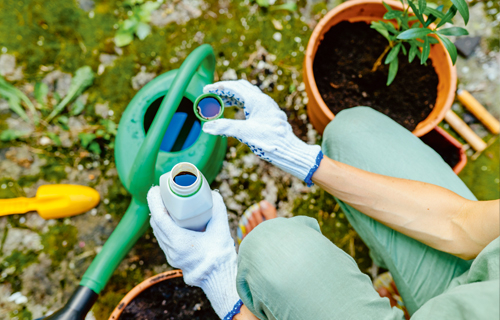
170,300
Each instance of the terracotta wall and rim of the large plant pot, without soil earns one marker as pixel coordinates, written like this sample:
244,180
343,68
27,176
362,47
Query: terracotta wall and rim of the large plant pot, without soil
372,10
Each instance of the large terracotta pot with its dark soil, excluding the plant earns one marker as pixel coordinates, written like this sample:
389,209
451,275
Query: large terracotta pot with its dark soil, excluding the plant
342,69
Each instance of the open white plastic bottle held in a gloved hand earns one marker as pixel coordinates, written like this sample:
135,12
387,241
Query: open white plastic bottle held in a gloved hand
187,196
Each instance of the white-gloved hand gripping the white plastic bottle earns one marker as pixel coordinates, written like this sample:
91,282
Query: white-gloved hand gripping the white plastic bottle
208,259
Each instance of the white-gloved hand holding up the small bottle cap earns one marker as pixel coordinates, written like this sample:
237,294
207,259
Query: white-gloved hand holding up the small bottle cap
266,129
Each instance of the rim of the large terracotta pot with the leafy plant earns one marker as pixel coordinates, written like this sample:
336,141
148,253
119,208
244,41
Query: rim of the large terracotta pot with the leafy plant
424,126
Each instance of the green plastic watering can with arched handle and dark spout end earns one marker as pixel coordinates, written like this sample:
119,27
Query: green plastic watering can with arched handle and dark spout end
157,130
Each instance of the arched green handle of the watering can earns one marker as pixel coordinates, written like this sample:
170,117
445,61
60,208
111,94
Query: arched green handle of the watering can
142,177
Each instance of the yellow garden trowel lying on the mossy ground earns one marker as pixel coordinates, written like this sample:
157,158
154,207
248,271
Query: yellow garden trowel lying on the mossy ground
53,201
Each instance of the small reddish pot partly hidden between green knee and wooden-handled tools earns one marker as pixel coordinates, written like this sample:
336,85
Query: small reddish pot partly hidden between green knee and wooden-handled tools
447,146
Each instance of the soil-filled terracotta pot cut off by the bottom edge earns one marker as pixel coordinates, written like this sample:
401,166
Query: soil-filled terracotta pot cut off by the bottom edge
164,297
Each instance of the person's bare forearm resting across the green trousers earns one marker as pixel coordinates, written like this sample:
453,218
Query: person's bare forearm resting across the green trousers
431,214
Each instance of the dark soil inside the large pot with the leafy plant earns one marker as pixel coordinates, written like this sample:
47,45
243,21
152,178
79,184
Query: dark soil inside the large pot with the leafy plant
342,70
